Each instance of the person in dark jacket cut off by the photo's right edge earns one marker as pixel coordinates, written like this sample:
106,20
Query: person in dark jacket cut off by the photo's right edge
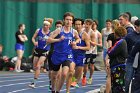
130,59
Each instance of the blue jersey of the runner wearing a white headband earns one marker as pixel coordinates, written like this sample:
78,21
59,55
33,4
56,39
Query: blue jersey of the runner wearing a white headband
41,38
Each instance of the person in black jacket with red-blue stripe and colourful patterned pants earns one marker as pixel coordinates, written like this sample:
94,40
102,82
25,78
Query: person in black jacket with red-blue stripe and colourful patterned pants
117,55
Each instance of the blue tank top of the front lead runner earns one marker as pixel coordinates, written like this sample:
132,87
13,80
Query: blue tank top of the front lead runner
64,46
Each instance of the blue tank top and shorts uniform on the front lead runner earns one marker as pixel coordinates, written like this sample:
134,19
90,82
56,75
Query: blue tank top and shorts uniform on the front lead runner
63,49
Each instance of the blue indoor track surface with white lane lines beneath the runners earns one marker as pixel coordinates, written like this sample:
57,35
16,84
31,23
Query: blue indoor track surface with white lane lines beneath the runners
11,82
